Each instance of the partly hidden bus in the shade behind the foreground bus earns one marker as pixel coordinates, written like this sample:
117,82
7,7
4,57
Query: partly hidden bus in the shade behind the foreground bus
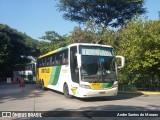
26,71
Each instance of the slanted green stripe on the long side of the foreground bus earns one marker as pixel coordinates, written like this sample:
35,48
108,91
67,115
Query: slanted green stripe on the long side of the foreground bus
55,75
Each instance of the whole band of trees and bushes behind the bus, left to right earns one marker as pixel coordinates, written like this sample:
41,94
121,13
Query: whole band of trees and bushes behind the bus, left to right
138,41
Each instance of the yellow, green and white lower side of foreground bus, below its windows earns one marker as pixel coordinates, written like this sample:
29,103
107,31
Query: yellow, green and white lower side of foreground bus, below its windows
55,77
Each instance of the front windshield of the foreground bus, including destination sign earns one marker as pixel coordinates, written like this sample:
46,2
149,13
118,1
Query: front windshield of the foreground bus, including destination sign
98,64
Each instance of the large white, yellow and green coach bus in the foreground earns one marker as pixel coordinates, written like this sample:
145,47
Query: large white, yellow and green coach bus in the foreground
80,69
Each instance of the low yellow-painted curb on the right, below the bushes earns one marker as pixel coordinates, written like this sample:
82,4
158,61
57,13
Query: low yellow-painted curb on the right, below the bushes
139,92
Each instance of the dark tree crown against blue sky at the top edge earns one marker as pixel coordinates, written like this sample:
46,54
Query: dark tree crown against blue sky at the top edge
102,12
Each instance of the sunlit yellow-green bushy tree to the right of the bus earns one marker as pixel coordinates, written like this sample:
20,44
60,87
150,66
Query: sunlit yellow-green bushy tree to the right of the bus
140,44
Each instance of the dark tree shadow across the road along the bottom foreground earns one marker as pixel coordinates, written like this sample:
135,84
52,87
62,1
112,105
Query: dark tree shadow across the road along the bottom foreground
107,111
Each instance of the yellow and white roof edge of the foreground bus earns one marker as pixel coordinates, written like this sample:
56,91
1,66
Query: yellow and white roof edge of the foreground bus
74,44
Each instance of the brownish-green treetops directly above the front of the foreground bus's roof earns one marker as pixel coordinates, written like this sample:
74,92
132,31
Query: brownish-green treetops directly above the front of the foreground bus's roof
93,34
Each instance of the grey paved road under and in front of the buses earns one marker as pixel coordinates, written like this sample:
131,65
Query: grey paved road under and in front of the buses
32,98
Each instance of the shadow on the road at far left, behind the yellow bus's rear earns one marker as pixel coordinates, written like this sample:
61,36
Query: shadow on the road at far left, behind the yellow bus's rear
14,92
